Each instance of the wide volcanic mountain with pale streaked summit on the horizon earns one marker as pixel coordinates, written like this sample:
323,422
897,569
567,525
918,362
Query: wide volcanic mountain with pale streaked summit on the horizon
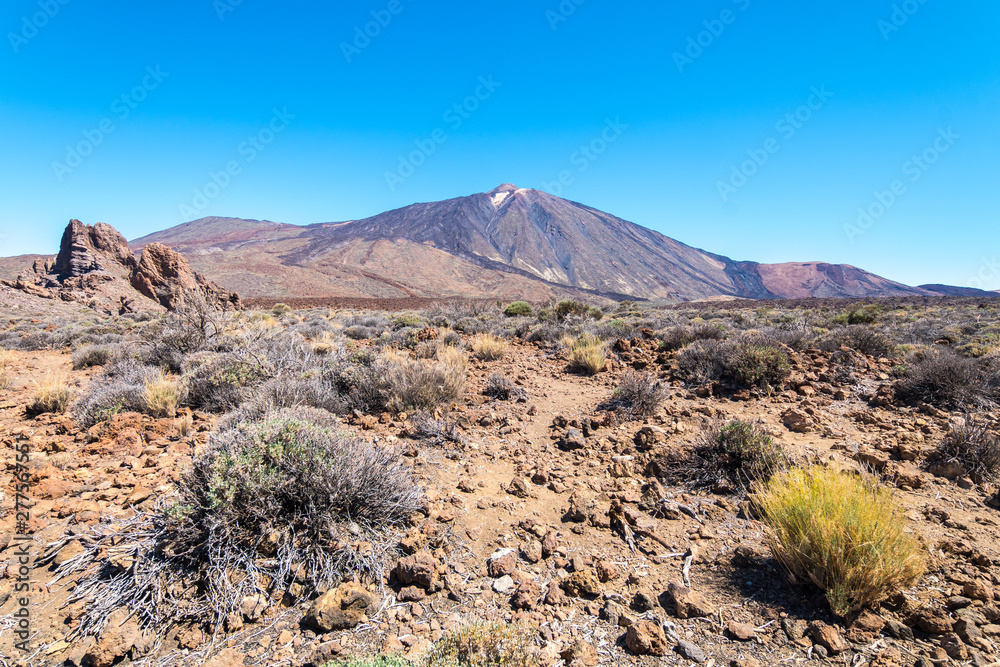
509,242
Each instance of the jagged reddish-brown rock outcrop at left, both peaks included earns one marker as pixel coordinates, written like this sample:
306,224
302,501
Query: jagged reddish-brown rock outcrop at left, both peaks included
96,267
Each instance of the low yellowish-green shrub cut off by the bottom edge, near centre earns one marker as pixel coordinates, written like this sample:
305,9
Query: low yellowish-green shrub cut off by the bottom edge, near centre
485,645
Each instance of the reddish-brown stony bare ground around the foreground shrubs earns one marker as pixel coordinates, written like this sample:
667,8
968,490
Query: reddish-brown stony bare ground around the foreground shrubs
530,518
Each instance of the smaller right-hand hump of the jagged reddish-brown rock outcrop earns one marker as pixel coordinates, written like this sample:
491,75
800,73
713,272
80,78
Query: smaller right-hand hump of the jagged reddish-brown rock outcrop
166,277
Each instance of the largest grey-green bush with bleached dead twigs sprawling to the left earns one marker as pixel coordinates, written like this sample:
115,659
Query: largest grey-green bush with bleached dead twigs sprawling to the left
271,503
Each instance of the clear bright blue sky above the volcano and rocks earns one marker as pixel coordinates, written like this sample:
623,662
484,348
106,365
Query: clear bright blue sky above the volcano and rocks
923,82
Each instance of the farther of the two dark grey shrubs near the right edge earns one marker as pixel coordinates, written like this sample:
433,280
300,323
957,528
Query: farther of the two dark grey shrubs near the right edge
944,379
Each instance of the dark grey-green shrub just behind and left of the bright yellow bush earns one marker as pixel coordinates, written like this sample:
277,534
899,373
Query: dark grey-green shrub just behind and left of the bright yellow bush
738,454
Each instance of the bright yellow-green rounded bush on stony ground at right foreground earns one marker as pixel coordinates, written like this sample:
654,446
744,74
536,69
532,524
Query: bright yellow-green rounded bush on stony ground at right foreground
841,532
